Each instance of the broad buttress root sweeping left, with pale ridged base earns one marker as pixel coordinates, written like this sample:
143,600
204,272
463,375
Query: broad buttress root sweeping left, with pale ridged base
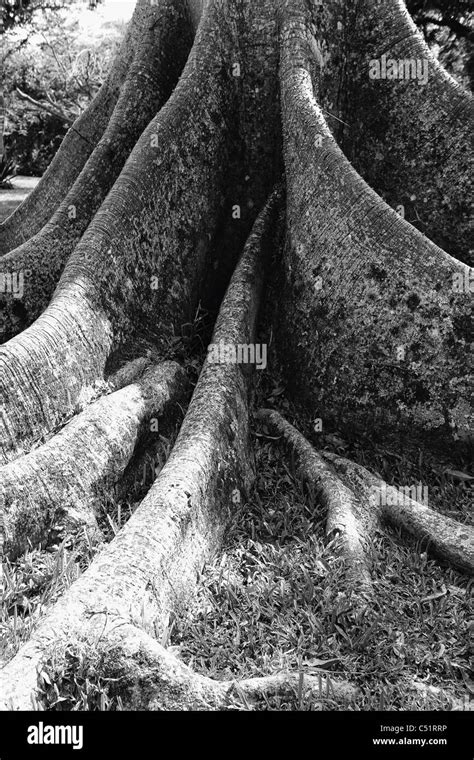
155,227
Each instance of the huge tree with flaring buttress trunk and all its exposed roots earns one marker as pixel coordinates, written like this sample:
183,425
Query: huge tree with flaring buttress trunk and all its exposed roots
324,141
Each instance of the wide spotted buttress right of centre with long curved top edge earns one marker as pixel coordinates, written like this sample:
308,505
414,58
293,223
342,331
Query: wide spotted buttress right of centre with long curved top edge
373,331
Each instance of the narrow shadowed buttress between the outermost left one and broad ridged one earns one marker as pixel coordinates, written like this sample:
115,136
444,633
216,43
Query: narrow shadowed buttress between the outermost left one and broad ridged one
163,45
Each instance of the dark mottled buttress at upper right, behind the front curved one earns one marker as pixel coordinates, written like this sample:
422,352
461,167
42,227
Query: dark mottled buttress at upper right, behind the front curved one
410,141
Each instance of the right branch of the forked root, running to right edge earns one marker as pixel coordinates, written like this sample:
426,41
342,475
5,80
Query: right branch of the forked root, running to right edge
446,538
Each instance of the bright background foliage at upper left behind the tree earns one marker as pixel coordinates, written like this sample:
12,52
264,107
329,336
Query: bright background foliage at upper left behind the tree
50,74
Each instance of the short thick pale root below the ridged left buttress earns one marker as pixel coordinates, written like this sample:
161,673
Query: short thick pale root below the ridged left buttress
65,480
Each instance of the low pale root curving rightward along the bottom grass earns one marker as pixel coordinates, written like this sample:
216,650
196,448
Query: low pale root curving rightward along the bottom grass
145,676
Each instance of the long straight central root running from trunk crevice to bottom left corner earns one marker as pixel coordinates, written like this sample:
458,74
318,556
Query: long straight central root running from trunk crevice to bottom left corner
151,565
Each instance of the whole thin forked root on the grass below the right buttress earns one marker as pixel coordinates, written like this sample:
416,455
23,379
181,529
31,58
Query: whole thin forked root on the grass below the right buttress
357,503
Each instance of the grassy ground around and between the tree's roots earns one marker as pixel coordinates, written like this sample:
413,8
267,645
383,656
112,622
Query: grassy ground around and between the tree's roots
274,600
